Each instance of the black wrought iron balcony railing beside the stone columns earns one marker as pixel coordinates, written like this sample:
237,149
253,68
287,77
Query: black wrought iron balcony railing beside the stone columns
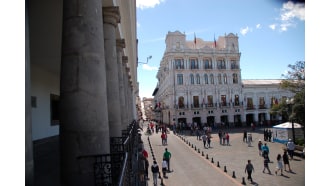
117,168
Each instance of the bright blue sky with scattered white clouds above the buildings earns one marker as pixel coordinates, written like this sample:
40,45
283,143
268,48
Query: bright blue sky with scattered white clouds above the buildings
271,33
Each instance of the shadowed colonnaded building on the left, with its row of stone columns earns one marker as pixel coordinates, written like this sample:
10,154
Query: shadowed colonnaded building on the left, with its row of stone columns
81,80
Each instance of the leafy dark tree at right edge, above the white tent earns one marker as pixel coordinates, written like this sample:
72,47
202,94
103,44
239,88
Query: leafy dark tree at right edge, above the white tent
294,81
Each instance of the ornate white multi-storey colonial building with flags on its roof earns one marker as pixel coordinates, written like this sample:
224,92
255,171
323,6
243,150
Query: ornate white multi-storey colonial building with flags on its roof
200,81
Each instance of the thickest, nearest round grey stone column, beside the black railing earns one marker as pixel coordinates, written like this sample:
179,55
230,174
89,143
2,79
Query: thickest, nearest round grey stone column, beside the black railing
84,128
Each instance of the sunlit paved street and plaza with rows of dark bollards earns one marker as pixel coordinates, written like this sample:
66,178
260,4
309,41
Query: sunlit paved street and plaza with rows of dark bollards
191,167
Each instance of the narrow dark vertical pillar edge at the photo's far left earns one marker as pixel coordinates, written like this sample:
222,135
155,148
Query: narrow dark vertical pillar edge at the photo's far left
29,163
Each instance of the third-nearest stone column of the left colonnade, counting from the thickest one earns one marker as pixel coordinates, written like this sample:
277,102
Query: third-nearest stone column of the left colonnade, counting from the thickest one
120,45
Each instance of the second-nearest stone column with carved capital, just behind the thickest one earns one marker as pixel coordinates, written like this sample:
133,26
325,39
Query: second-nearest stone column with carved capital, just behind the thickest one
111,18
